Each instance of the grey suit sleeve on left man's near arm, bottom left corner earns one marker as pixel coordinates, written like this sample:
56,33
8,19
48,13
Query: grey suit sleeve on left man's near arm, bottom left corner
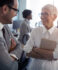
6,62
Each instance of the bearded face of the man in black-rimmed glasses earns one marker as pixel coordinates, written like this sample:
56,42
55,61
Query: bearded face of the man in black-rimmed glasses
10,13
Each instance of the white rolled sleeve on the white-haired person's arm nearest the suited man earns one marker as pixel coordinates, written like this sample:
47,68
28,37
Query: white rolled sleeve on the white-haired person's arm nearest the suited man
30,43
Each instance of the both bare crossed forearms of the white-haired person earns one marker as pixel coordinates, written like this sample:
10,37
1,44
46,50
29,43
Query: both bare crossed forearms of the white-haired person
43,54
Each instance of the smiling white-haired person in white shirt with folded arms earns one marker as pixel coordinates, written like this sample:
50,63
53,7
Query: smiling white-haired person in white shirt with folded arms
44,59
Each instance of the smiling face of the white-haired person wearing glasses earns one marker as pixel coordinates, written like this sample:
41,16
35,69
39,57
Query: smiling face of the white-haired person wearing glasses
47,17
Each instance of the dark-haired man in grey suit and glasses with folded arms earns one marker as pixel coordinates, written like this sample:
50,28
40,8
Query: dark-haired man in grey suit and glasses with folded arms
10,50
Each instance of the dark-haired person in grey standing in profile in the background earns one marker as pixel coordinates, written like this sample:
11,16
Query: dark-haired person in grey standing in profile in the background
25,26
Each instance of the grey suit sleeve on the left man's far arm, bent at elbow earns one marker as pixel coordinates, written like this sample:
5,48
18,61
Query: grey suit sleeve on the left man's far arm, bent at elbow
18,50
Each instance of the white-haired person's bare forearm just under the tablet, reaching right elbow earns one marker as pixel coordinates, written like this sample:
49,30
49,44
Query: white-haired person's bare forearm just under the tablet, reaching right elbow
44,54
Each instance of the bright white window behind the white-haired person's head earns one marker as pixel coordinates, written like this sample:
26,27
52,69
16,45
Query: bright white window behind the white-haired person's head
36,6
